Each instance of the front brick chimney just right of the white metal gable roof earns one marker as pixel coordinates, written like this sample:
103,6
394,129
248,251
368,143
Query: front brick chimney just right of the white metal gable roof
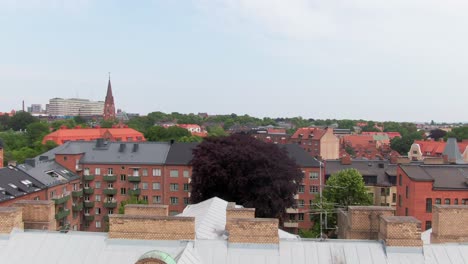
257,230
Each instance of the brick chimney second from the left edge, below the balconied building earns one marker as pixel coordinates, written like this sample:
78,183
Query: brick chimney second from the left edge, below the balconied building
38,214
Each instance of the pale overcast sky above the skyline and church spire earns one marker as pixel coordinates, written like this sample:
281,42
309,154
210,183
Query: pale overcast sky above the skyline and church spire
403,60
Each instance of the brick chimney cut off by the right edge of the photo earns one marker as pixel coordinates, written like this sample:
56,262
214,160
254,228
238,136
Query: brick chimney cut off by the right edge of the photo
449,223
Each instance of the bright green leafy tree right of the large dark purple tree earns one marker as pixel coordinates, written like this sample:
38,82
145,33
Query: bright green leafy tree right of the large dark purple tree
346,188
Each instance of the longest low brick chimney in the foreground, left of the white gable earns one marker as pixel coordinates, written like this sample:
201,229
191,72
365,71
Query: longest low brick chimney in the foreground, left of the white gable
151,227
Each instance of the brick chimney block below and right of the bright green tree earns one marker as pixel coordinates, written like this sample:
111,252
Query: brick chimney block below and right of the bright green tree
362,222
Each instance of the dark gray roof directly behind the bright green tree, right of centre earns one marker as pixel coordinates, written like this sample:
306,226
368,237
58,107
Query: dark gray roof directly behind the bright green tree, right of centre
381,169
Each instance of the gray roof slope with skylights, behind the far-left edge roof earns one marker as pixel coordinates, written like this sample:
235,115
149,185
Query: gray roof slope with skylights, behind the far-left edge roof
48,172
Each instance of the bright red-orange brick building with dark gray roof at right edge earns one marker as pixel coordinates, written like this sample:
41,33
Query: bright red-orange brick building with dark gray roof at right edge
421,186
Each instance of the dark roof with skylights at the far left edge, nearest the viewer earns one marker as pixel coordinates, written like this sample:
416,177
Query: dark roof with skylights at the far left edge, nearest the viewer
15,183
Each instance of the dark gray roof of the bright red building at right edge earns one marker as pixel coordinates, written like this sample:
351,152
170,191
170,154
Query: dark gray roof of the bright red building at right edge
445,177
